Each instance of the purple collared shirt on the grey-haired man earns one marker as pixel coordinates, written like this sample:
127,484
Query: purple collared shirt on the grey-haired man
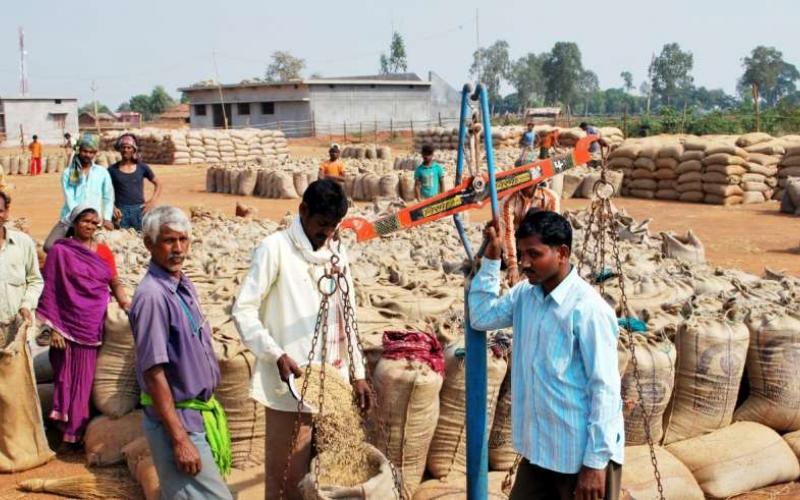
165,334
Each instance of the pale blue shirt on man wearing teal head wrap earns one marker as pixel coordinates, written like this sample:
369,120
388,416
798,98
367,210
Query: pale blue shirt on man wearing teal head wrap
95,188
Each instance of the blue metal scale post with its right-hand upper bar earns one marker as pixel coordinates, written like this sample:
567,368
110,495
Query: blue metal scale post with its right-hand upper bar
476,347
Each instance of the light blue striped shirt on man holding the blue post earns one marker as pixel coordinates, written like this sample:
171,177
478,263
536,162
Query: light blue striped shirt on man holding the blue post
566,405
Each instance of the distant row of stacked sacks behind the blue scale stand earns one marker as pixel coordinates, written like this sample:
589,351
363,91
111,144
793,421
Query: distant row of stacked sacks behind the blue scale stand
509,136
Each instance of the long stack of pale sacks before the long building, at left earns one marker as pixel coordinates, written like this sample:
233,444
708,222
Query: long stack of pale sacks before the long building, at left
183,147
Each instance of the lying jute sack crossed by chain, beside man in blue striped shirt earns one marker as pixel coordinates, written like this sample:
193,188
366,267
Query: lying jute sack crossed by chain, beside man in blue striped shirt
638,477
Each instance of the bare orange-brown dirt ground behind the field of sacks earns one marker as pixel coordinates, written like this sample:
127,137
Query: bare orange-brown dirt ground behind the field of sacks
748,237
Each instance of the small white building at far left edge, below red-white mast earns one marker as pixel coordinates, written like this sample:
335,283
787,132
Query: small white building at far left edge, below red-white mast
47,117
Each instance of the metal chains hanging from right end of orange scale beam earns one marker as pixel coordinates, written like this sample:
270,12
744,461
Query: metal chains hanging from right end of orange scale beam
602,212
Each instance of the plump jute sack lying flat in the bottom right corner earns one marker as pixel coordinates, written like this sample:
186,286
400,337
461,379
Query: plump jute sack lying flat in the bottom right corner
739,458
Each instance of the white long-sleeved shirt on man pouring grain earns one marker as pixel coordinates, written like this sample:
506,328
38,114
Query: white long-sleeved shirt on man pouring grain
276,312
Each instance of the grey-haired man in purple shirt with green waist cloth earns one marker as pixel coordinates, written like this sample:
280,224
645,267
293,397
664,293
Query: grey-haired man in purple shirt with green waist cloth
175,364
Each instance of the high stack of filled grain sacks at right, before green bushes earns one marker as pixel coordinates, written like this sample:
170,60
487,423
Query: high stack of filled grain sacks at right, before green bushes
720,170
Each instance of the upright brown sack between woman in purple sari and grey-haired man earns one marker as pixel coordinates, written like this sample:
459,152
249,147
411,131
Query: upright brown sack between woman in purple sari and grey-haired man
115,391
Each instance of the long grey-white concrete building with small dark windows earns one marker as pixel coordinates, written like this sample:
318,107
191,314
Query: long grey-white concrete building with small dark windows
326,105
